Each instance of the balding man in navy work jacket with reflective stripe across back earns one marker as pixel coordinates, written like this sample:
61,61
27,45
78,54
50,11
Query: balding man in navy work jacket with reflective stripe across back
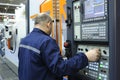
39,55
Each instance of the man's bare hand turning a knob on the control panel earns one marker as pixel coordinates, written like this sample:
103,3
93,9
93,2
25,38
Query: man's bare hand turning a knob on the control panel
93,55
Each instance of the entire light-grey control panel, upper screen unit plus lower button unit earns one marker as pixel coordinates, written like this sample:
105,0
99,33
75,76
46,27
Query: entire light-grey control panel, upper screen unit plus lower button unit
91,25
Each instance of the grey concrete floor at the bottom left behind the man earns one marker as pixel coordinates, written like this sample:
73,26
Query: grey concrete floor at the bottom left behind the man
6,72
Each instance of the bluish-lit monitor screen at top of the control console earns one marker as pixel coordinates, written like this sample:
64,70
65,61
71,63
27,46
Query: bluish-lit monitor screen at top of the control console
94,8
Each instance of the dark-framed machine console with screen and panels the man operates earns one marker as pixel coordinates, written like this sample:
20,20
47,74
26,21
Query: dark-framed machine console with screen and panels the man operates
94,24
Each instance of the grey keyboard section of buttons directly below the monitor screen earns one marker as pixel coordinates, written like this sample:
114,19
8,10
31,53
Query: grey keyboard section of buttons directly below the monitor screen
95,31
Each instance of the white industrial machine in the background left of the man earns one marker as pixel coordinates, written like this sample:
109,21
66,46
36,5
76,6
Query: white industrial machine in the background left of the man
13,25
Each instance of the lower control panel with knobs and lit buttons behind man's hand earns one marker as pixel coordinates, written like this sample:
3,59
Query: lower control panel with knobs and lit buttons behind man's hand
96,70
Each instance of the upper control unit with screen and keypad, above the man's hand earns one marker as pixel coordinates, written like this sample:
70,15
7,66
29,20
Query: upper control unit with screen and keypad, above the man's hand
90,20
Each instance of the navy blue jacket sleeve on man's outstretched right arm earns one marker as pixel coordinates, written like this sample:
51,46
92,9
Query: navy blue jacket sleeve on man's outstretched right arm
54,61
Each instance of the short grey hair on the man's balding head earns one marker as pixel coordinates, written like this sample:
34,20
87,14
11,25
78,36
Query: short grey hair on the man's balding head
42,19
